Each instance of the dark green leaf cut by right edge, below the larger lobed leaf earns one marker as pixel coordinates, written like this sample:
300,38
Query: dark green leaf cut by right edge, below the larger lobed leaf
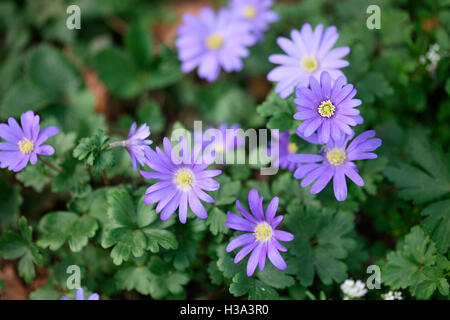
437,224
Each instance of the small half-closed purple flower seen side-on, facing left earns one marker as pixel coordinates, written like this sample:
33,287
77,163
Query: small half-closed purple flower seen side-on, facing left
137,145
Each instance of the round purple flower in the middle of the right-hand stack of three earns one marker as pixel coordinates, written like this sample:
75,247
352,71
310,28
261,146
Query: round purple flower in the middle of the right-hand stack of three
326,108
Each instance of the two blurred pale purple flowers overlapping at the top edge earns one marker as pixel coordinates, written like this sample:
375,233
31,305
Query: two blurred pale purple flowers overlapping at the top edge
212,41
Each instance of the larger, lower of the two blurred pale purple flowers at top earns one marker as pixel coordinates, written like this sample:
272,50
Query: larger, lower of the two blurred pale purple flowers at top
212,41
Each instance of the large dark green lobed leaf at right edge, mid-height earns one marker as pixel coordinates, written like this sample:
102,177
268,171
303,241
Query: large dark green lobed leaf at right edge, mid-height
430,182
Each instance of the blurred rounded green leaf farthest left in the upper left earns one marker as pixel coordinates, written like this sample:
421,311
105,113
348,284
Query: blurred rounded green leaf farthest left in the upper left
51,73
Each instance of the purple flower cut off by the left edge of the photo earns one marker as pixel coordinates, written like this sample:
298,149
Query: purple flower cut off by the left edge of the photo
24,144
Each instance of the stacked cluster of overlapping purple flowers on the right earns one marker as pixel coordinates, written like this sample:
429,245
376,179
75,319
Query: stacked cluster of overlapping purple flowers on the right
326,107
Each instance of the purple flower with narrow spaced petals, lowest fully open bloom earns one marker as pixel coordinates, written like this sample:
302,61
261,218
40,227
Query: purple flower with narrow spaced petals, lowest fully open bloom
262,238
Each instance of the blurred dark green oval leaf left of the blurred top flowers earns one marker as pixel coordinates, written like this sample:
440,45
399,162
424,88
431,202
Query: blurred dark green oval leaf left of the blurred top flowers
118,72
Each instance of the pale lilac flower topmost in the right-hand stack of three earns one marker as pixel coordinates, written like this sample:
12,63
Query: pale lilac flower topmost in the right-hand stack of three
307,54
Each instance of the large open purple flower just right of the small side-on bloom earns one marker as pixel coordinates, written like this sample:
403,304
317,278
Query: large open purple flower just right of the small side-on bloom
183,180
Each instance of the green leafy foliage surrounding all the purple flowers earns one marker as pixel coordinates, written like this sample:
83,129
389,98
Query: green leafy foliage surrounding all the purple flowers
400,219
